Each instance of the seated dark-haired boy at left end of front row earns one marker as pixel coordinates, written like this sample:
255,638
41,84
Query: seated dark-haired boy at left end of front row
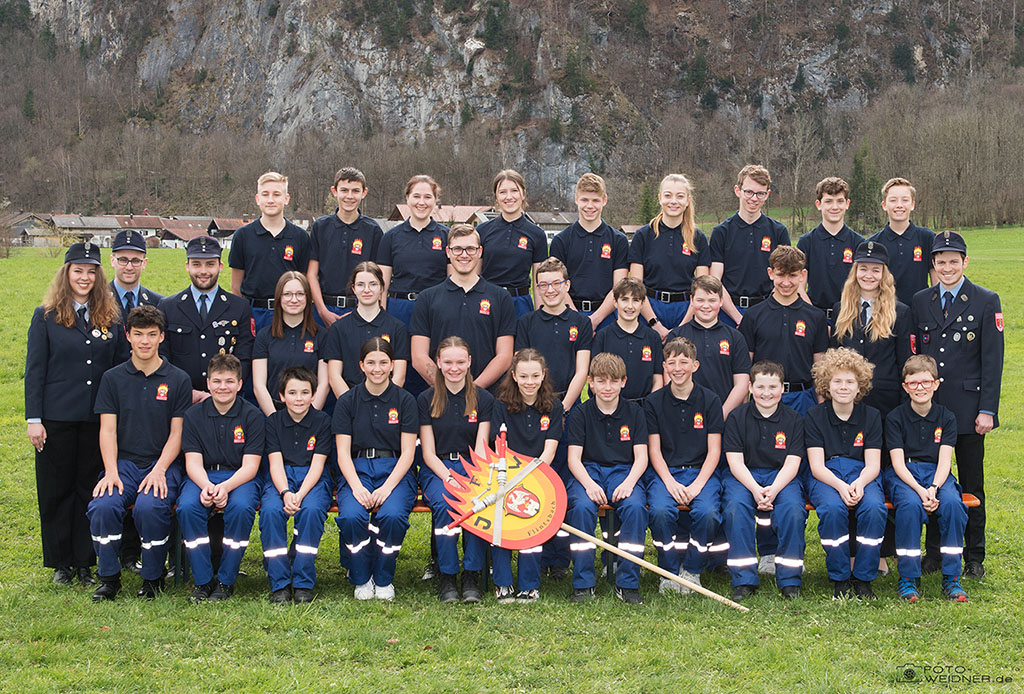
142,405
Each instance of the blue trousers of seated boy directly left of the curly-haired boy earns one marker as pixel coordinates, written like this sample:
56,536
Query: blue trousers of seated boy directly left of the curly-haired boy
789,518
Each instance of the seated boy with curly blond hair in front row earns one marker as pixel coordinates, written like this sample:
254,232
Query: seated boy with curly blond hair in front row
844,450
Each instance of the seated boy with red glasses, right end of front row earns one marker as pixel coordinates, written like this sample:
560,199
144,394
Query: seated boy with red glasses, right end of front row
921,436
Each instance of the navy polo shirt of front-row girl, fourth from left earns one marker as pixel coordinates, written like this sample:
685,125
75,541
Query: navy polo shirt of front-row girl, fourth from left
376,421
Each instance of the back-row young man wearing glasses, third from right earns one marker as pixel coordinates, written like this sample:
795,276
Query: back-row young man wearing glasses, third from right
741,245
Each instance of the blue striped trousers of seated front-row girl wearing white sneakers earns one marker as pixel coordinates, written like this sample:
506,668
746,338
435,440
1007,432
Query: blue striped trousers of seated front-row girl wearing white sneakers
374,540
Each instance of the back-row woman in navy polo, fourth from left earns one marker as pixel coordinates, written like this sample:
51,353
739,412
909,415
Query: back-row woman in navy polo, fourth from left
514,246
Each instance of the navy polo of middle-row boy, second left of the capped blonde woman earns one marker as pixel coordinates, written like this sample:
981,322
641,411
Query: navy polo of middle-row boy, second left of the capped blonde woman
722,353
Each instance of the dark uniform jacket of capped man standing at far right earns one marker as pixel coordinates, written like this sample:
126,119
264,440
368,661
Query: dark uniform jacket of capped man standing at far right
968,348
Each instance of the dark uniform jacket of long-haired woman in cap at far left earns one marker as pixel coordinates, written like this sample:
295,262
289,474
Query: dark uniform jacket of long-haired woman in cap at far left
64,368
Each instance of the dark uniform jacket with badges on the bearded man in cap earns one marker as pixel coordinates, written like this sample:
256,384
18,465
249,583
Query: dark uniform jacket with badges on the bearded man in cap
190,344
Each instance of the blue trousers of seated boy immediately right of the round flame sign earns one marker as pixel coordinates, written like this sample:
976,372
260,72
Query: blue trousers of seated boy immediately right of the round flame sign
631,517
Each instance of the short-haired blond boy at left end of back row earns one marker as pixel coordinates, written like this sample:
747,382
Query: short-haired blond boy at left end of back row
266,248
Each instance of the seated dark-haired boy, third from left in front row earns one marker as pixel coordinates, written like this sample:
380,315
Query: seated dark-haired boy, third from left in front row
298,443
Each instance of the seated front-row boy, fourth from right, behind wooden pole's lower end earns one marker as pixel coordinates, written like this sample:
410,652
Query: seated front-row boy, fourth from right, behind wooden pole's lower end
685,427
